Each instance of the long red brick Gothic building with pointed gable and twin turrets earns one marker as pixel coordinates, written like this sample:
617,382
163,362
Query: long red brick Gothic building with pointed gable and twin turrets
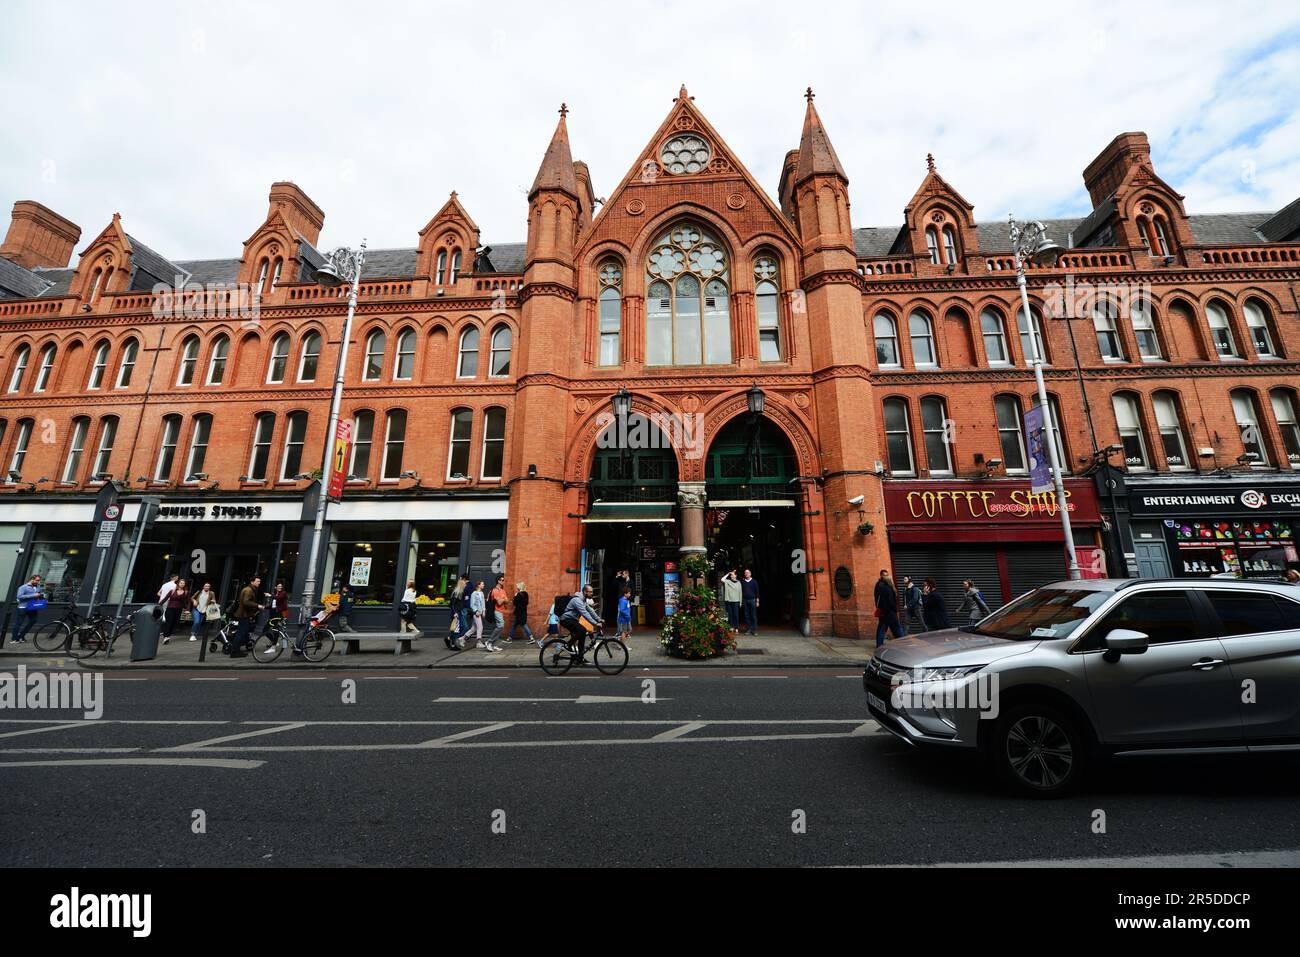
891,365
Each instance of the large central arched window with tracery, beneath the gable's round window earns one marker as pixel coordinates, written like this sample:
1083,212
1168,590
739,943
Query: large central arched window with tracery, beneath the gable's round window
688,317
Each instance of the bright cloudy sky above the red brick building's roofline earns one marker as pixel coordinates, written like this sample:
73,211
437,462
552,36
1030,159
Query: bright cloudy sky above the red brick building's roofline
181,115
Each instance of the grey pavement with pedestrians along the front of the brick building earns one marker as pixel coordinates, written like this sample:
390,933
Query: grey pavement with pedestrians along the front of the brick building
769,649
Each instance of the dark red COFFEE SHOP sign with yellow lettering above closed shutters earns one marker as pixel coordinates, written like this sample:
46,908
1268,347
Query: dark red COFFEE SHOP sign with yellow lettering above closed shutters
961,503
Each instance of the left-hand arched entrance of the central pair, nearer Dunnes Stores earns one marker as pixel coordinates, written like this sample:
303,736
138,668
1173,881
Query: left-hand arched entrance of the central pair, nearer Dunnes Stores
632,518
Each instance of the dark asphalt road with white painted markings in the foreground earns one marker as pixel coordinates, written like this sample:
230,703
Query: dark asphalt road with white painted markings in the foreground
428,769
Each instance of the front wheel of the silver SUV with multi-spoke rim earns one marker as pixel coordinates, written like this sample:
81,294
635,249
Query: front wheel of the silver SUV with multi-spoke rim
1039,751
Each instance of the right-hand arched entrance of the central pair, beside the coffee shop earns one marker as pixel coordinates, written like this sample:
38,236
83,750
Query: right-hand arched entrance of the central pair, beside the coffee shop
753,518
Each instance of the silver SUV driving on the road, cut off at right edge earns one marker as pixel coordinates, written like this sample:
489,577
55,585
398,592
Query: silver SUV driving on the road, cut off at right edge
1078,670
